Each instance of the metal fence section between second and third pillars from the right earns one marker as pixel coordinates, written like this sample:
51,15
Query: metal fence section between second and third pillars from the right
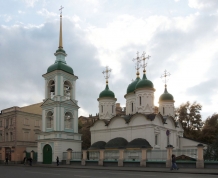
156,155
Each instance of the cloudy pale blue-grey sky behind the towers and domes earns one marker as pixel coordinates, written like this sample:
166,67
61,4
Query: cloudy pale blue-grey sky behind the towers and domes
181,36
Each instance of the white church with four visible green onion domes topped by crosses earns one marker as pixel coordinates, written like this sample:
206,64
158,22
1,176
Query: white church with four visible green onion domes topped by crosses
142,126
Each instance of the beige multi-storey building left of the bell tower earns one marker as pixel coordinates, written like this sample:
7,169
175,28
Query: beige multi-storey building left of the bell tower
19,127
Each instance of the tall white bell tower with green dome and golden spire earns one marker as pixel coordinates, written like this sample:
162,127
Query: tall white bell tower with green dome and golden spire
59,110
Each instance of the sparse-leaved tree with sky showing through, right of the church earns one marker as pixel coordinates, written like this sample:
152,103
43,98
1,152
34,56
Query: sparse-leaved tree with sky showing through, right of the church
190,117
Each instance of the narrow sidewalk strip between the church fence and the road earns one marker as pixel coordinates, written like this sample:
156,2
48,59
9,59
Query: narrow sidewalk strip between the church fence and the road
132,169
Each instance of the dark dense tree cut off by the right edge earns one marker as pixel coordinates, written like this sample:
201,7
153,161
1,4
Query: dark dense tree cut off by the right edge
210,129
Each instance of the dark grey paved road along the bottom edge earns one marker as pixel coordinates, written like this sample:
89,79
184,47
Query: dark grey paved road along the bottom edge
39,172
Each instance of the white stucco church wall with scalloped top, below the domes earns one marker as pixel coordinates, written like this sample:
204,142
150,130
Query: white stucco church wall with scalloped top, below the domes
138,127
